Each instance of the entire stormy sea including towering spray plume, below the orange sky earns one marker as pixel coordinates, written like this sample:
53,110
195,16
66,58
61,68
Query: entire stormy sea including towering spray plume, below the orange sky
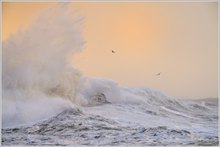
48,101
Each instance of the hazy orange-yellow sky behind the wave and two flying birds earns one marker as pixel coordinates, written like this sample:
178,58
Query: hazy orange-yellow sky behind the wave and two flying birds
180,40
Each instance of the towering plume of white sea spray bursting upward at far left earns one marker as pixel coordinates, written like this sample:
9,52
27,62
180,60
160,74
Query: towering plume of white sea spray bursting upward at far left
37,77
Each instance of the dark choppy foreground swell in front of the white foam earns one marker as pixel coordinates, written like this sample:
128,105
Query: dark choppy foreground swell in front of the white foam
76,128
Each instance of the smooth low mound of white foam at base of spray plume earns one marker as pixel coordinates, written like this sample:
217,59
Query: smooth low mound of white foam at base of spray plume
29,111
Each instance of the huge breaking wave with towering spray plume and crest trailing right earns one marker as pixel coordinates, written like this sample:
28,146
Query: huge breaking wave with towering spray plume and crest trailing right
39,81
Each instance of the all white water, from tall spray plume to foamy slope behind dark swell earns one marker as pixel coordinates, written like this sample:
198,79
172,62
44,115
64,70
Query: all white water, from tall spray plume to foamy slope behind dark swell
39,82
